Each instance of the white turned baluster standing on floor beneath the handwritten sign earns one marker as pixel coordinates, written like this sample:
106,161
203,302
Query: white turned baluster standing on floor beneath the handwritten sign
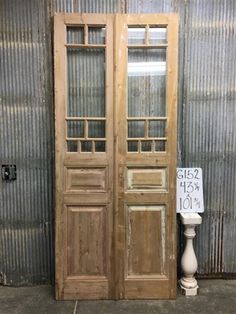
188,283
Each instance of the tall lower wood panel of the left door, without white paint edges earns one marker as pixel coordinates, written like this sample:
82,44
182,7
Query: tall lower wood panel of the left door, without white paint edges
86,241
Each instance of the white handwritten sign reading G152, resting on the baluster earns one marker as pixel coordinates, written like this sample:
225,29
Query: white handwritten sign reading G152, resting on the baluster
189,190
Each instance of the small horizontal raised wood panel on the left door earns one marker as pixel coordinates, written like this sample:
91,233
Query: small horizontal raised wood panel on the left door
86,179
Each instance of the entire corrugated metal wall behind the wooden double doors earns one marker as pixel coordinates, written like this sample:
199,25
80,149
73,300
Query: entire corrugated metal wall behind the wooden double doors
206,128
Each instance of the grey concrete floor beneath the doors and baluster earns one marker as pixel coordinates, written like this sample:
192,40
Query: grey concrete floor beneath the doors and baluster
215,296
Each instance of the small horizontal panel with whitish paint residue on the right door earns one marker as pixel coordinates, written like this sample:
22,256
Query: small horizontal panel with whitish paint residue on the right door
147,179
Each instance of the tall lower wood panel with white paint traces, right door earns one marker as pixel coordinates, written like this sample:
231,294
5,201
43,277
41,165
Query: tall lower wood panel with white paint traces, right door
146,240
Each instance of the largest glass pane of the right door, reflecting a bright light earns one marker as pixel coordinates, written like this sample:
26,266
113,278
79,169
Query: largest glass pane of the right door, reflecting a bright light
146,82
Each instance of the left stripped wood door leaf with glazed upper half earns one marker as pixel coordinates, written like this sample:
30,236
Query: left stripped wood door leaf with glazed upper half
83,55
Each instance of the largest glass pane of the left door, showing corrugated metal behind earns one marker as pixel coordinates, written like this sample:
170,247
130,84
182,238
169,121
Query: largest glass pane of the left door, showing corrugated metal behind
86,82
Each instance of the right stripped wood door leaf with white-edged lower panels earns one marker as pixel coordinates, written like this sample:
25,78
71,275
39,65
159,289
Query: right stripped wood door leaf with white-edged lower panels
145,88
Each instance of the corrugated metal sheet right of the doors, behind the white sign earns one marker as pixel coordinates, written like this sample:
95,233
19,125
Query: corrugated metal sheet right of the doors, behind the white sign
209,126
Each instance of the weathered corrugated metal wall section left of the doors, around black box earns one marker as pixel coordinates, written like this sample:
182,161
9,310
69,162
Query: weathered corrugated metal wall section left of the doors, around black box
26,132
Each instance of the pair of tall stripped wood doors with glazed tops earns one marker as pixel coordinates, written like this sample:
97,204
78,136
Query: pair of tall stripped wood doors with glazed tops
115,129
